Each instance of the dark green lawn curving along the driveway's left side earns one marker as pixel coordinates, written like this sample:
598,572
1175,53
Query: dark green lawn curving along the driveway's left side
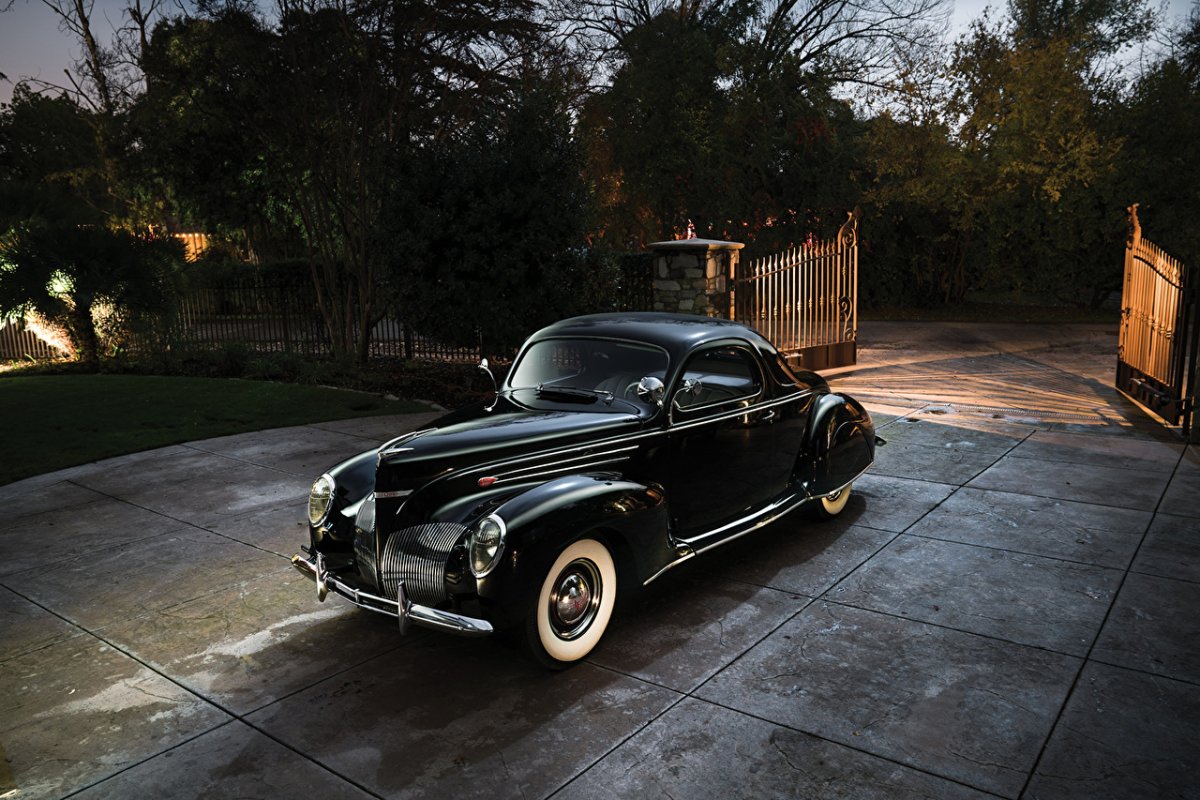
56,422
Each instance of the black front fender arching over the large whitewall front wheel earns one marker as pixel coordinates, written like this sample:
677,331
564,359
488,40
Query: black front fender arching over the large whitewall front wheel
629,518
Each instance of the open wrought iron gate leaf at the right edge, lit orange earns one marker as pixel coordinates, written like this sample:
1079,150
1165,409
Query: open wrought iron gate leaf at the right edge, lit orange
1160,332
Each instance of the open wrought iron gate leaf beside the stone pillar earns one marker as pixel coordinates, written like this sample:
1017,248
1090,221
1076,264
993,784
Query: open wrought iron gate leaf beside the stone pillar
806,299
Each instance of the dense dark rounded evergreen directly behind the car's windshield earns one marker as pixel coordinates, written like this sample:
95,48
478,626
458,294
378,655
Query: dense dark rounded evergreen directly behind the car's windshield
490,242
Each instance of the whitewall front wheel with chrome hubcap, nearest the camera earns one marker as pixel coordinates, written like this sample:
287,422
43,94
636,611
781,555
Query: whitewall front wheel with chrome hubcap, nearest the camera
574,605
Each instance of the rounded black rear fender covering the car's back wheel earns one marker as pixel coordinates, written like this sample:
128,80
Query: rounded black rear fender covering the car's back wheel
839,444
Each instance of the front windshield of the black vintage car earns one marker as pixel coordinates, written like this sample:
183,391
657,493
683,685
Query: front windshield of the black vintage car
592,369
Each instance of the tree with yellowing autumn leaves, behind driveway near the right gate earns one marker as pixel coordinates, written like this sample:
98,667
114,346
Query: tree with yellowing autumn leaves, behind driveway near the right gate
1034,122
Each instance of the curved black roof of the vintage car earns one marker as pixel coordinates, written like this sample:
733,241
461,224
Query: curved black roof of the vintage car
677,334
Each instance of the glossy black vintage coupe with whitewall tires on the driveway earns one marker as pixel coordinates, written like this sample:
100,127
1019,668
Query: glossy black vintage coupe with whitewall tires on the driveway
619,448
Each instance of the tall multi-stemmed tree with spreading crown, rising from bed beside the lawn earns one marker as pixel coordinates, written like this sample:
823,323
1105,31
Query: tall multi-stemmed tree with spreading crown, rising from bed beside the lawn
305,122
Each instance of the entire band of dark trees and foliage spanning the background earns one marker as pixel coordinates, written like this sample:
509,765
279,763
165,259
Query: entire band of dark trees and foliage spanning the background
475,167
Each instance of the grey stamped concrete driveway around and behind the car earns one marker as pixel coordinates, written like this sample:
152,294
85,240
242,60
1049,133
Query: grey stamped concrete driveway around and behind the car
1010,607
